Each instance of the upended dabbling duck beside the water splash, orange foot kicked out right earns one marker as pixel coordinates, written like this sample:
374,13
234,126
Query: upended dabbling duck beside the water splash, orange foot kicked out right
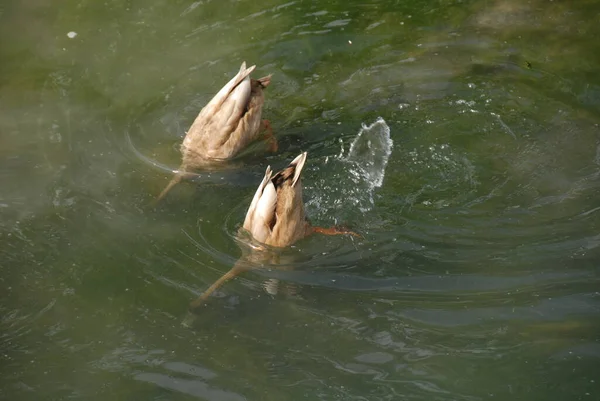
275,218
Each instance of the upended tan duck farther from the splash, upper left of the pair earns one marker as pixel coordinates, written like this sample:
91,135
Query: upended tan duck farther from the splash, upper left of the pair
225,126
